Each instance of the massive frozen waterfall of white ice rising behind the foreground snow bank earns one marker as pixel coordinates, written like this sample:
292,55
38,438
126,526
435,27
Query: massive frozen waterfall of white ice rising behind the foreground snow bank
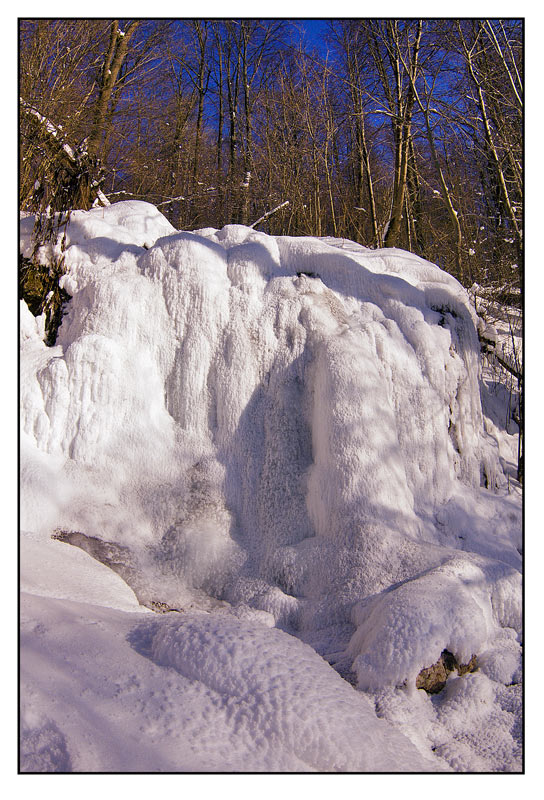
291,425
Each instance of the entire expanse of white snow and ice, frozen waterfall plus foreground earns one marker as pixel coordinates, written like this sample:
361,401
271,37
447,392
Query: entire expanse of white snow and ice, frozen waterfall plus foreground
283,440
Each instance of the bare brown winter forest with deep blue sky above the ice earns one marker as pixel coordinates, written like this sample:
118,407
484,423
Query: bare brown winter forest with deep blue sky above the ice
393,133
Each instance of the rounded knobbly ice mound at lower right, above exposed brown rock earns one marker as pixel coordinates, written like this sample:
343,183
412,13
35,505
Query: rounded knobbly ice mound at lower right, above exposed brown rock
461,607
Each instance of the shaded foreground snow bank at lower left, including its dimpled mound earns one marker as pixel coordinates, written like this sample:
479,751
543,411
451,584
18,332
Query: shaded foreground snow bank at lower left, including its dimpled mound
105,691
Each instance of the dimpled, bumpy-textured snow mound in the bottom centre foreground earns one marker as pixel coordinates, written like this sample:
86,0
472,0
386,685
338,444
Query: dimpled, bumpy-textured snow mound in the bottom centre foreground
278,687
